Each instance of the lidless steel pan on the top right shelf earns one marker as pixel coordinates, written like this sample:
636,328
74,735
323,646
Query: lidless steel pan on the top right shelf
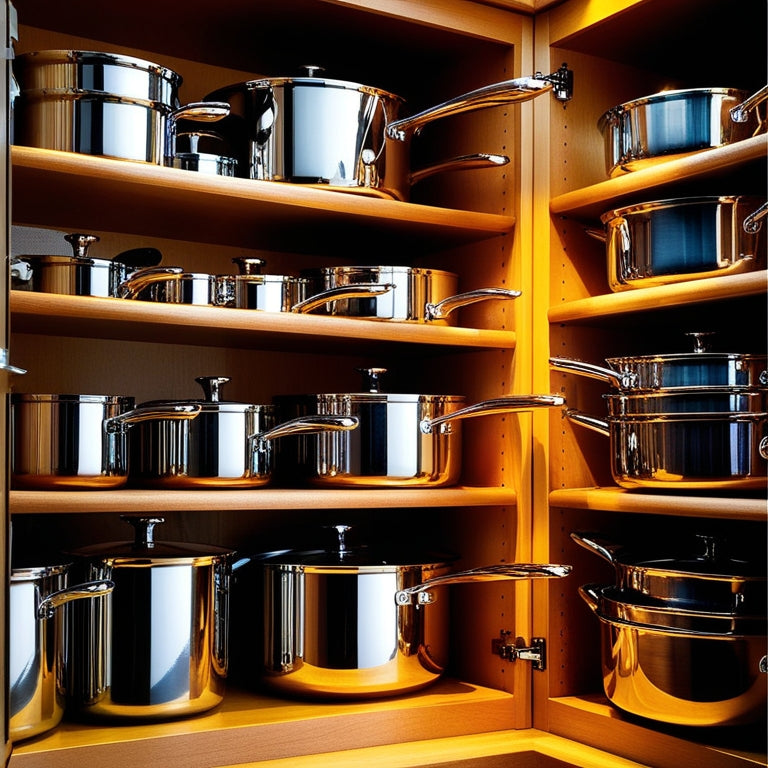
668,124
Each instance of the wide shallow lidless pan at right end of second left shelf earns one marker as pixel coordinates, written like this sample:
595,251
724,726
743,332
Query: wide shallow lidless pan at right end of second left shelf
393,293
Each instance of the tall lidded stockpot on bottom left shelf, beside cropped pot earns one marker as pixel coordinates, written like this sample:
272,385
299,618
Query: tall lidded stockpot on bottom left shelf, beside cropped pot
157,646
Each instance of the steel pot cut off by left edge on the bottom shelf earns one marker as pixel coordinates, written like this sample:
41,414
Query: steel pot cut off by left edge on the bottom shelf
38,653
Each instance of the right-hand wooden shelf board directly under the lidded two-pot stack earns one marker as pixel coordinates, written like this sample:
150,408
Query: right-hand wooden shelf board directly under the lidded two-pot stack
643,502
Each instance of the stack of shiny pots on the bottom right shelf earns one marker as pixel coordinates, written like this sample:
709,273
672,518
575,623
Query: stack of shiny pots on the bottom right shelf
683,636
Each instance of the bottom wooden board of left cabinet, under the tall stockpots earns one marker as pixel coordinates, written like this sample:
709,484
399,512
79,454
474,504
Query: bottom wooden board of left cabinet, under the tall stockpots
248,727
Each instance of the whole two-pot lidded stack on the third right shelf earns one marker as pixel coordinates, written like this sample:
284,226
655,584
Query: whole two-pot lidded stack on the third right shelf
695,420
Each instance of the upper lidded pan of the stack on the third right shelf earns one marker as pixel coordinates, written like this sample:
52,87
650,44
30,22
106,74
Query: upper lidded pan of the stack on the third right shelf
668,372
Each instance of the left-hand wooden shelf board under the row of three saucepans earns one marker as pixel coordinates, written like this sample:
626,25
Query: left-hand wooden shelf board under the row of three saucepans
136,500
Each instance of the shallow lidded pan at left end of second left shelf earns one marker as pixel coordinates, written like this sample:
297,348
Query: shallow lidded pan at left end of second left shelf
79,274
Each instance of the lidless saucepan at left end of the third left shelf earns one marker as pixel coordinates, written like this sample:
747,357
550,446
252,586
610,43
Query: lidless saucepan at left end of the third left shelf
75,442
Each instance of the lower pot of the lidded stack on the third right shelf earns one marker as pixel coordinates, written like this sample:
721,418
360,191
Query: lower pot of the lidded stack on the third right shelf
692,451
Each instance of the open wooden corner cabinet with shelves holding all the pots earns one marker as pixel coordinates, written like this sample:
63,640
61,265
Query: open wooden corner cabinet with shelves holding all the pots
528,480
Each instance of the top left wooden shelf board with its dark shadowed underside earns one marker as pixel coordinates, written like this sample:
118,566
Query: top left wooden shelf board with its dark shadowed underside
140,198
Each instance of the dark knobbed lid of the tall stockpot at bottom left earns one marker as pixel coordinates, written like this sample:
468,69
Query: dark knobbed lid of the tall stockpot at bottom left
144,545
